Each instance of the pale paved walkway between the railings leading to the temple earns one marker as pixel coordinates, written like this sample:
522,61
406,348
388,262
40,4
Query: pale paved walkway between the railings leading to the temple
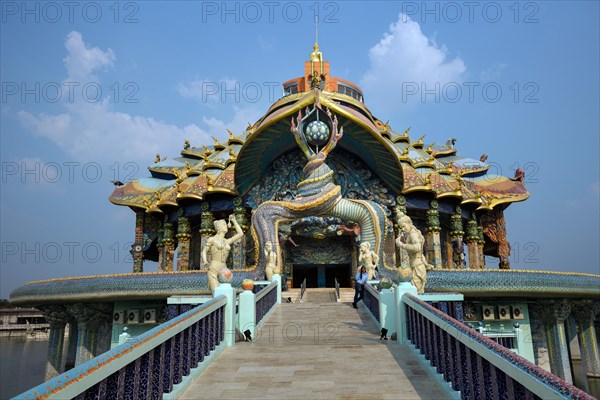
317,351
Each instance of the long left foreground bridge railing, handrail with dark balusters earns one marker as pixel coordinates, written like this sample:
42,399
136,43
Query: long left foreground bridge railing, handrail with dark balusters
146,366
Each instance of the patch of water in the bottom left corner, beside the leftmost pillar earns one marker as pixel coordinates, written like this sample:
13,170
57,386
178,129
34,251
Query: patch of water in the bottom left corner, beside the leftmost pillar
22,365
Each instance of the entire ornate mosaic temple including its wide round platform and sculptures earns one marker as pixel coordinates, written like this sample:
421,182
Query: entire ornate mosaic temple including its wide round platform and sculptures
301,190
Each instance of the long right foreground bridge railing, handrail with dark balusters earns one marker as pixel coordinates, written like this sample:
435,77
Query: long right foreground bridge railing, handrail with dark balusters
475,365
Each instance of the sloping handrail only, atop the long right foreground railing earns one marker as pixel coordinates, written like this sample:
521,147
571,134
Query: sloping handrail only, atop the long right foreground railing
534,378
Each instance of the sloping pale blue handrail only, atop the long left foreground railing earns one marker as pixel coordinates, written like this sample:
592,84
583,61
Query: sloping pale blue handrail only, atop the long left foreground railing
95,370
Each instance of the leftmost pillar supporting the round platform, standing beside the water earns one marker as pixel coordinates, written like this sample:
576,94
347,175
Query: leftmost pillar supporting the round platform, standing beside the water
57,317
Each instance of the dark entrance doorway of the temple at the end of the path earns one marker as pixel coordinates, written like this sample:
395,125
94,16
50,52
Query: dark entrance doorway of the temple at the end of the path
322,275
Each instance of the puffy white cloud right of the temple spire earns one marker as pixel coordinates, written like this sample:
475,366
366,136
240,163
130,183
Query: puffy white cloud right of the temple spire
406,55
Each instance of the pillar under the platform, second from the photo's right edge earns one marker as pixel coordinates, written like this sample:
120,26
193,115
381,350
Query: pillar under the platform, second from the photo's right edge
555,313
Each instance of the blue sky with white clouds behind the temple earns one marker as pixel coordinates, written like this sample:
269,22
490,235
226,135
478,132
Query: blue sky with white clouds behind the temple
92,93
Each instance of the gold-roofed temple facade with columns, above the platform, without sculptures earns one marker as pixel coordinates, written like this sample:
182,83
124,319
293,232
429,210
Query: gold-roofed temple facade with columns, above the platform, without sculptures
456,202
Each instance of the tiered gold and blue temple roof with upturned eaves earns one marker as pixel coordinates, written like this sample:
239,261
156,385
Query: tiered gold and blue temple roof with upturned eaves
405,164
